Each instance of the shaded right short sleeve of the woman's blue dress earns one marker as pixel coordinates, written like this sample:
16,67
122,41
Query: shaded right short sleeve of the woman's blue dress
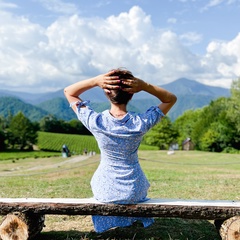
152,116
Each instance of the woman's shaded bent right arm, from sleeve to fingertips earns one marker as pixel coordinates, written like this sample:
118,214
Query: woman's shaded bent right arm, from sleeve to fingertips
167,98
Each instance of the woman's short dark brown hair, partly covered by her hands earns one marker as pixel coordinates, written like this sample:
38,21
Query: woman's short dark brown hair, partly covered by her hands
118,96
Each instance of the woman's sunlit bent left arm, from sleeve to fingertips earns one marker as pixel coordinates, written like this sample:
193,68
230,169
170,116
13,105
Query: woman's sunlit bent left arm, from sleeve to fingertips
105,81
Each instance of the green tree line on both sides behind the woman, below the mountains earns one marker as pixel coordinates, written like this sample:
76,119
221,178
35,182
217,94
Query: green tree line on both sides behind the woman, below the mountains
215,127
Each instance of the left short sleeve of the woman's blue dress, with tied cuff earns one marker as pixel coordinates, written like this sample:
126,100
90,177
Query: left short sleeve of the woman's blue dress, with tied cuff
85,114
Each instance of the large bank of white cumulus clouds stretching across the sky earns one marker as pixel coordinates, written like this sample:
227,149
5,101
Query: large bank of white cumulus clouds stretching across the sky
36,58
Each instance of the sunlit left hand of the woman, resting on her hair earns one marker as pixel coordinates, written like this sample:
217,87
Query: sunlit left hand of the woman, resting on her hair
108,82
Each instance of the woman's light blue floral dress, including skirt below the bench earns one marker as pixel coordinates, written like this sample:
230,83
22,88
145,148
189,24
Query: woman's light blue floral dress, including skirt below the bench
119,178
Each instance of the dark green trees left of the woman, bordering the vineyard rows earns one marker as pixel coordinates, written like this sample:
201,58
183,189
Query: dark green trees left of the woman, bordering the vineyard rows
18,132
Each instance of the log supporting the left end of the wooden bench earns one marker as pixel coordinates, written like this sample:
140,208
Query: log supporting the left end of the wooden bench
21,226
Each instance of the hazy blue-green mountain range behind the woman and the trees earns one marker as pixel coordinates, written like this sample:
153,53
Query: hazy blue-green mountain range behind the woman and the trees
191,95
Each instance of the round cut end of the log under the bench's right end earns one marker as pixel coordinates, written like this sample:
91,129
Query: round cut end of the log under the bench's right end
230,229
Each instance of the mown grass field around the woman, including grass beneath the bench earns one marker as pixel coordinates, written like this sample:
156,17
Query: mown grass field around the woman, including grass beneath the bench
185,175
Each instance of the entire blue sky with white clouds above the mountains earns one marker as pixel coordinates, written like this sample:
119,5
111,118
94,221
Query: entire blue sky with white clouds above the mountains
47,44
